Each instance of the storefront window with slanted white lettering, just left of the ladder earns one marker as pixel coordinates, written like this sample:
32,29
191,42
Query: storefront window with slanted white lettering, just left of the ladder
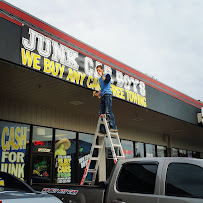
85,144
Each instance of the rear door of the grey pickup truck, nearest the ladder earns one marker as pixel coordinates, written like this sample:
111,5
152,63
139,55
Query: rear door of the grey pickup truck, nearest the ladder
136,182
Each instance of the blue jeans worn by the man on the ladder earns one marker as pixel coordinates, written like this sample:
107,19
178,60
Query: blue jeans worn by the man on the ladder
105,108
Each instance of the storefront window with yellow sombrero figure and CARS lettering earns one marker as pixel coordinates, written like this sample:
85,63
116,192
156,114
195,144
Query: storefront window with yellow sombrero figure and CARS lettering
65,157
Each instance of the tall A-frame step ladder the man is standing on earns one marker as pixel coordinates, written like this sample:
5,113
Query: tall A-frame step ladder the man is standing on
116,149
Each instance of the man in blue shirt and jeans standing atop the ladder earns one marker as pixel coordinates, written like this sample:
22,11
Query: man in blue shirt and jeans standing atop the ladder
106,99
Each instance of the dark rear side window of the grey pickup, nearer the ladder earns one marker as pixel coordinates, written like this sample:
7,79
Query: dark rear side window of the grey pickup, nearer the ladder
137,178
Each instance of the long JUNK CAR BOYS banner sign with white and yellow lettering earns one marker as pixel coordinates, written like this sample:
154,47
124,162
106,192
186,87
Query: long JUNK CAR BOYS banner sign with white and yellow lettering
50,57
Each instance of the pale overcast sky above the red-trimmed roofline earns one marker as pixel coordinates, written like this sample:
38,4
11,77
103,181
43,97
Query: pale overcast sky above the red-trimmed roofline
161,38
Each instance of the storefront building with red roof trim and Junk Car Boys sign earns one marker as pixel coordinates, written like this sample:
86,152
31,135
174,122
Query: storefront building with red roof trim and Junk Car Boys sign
48,115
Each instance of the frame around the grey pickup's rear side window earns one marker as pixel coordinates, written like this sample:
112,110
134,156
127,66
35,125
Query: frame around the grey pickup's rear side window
139,163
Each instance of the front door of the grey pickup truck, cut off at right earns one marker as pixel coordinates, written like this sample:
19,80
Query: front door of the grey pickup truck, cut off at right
182,181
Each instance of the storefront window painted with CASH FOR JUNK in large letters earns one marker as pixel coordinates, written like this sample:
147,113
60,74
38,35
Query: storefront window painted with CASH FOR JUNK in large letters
14,142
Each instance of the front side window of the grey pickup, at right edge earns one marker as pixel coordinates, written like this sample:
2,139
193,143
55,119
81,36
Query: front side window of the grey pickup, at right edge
184,180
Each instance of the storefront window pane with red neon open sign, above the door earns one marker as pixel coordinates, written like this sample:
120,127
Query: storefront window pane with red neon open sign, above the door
42,139
